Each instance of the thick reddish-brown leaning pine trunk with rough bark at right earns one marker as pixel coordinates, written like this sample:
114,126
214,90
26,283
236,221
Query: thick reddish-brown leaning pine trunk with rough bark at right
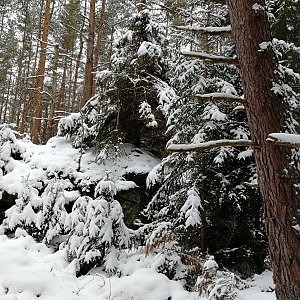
266,113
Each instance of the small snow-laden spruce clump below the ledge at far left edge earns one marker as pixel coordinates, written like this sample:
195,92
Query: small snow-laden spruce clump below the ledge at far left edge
41,216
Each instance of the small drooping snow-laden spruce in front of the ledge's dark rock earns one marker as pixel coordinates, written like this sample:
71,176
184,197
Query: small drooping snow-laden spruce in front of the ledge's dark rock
97,230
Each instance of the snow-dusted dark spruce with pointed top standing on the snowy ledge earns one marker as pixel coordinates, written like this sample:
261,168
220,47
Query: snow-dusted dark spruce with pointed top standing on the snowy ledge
127,107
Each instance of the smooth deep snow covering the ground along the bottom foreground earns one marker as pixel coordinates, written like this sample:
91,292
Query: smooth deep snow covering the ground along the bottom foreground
31,271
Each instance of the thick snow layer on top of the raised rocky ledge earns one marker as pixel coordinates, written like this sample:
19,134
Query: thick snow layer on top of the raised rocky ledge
58,155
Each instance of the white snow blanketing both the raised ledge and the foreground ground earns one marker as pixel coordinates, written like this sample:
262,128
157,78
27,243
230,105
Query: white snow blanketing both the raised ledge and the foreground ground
31,270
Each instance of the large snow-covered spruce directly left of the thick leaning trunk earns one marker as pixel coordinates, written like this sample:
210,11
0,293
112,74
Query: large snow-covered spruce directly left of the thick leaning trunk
206,195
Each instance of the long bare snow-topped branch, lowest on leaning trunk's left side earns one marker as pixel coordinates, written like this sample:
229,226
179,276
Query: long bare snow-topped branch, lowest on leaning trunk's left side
210,145
